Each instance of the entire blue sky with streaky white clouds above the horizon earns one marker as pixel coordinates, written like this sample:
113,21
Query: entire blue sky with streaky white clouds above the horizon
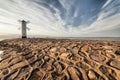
61,18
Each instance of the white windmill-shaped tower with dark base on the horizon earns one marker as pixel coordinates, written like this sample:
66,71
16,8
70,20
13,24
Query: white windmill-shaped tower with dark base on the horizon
24,28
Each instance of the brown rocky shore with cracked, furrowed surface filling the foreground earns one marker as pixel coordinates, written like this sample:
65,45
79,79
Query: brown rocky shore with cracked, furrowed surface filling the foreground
55,59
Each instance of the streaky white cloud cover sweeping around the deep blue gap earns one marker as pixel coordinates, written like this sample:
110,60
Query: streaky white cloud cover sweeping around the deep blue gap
43,21
